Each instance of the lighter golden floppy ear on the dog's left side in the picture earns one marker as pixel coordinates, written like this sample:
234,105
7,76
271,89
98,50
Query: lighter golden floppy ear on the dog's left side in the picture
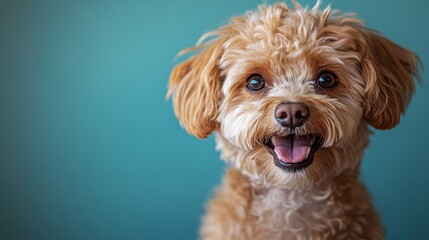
195,90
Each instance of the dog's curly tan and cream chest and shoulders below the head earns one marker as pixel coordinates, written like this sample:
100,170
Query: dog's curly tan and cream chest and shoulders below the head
244,211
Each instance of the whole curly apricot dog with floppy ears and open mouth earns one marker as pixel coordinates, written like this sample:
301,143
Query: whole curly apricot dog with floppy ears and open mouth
290,94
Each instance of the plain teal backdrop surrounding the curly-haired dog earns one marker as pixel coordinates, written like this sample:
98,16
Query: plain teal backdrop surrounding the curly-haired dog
90,149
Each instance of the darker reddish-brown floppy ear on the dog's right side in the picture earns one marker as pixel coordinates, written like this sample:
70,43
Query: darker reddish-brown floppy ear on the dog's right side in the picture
388,70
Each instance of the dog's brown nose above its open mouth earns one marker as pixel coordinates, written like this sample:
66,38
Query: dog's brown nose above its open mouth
292,115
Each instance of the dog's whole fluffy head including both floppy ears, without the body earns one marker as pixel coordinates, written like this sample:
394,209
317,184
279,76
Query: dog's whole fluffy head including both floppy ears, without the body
290,90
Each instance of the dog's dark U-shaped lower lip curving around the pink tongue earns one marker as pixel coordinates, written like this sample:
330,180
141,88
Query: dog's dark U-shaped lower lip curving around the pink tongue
315,143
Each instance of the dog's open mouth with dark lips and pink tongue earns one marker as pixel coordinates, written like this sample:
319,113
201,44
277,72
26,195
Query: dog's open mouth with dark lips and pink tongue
293,152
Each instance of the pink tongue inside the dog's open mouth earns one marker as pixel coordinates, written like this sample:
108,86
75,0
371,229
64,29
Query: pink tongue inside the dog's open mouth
292,149
